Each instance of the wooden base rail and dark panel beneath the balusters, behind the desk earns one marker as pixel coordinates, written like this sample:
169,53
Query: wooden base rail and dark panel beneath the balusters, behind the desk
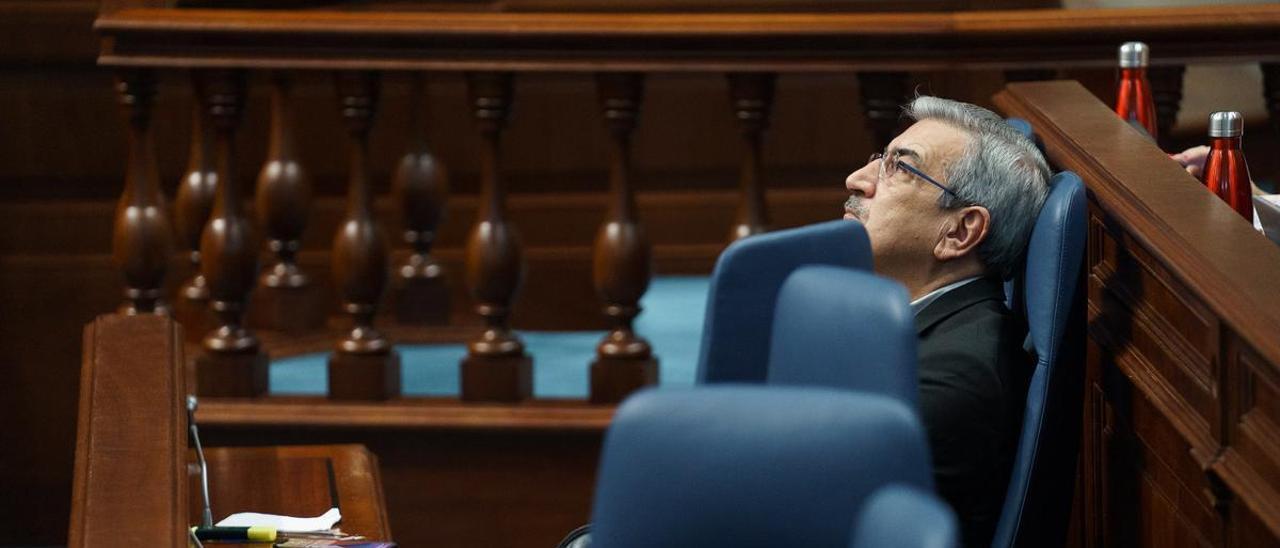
500,477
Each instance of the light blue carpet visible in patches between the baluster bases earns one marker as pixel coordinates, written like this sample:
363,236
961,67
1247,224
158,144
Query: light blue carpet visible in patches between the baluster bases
673,322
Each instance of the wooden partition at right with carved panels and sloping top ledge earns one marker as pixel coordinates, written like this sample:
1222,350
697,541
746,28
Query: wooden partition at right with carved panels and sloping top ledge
1182,445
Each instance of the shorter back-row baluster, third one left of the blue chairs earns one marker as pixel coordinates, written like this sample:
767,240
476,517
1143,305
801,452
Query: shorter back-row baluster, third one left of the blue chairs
420,186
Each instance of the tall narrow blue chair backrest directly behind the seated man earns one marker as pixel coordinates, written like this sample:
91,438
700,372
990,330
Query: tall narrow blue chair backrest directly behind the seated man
1039,499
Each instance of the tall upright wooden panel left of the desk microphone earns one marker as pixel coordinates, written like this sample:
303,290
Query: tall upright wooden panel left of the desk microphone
131,449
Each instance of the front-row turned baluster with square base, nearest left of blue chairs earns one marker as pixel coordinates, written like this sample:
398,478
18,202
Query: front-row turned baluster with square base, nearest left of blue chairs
624,362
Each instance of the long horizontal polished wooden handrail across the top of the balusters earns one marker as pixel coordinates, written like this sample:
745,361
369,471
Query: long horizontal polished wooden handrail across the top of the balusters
698,42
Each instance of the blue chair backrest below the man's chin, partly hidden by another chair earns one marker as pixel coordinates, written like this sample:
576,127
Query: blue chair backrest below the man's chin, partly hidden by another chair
746,286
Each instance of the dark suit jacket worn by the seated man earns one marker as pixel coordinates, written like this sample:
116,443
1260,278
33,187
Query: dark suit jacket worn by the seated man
973,389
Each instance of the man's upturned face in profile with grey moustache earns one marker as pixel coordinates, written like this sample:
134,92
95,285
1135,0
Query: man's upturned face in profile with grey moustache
902,212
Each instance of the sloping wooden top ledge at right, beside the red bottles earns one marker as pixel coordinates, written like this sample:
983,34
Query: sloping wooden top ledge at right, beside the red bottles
1235,270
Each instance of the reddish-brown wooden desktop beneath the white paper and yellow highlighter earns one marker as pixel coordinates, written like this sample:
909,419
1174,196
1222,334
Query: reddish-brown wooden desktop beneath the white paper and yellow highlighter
295,481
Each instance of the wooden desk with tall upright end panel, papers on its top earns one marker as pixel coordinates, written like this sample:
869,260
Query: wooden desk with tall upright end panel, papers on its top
135,485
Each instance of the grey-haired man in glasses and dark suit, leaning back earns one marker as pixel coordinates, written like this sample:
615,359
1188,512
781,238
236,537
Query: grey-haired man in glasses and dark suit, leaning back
949,208
